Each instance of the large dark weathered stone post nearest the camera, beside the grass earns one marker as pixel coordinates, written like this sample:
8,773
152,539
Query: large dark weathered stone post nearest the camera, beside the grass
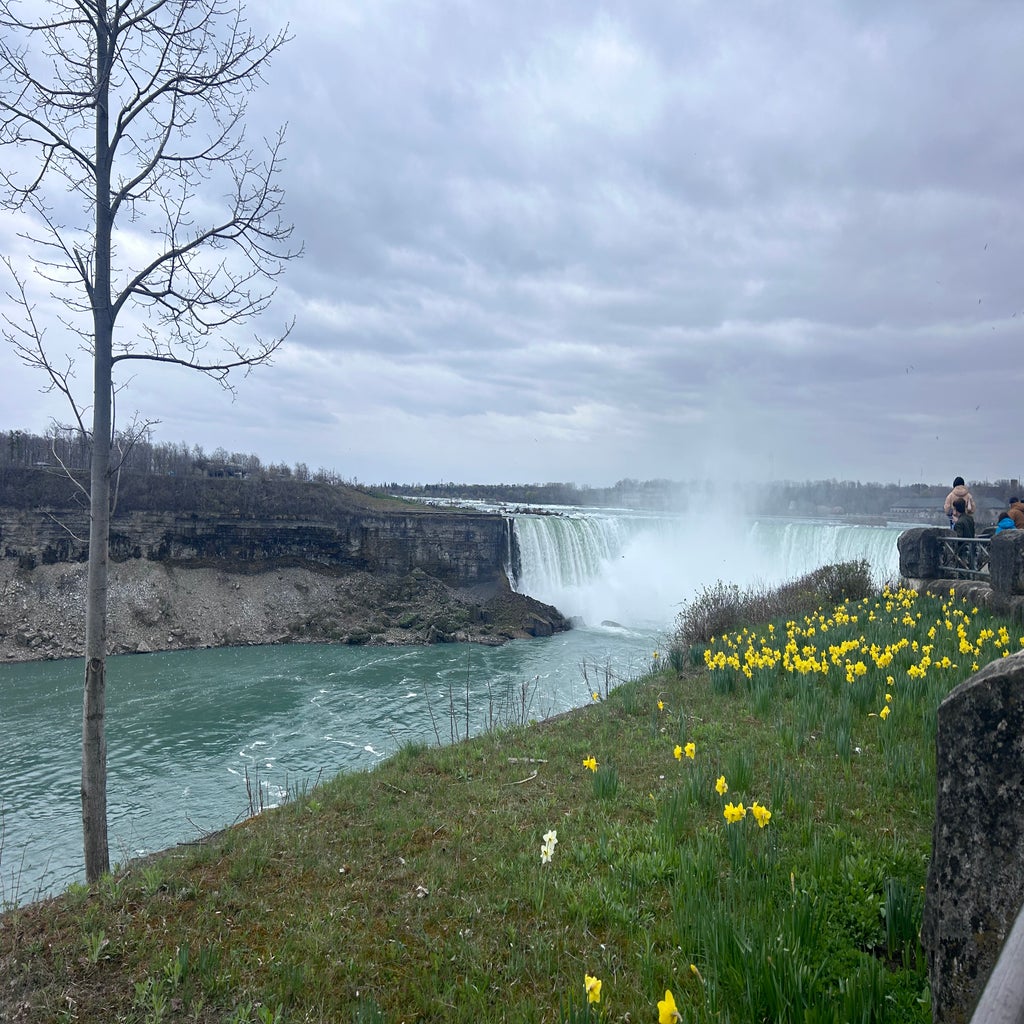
976,876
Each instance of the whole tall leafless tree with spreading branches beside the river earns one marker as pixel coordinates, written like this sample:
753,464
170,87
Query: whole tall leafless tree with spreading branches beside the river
147,210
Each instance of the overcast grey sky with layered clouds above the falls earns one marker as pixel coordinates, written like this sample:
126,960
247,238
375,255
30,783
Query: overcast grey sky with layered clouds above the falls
581,241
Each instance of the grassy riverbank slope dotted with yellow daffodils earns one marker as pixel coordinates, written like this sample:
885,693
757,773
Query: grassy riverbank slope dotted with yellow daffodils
417,892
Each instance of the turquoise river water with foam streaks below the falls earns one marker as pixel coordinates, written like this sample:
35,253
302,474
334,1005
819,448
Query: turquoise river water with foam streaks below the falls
186,729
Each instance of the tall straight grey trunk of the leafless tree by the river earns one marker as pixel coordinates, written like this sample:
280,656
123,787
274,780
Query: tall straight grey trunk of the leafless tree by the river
98,860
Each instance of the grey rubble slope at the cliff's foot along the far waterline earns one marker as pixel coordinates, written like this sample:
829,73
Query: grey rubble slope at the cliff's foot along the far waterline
161,607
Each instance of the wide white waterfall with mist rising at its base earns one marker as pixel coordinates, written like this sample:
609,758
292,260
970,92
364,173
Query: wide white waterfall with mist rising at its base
636,569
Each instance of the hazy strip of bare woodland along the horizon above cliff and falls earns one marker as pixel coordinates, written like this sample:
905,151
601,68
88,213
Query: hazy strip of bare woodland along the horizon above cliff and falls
168,477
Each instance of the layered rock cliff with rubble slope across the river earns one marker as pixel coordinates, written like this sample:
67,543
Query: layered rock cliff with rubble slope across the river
183,581
